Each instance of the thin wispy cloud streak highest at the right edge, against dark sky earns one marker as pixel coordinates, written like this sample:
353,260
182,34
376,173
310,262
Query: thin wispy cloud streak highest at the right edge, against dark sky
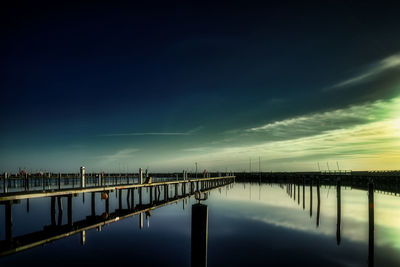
383,65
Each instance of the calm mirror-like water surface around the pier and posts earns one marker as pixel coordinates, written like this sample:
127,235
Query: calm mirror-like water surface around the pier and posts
248,224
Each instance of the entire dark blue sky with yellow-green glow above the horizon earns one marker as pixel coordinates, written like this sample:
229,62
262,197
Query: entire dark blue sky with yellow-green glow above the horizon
241,86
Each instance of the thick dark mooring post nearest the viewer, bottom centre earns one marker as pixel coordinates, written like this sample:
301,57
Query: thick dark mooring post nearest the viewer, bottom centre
199,235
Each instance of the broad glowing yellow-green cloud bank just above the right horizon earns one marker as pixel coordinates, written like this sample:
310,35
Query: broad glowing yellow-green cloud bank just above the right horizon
359,137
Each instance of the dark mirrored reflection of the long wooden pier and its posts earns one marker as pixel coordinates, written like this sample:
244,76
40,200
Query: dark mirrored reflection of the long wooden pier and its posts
55,231
